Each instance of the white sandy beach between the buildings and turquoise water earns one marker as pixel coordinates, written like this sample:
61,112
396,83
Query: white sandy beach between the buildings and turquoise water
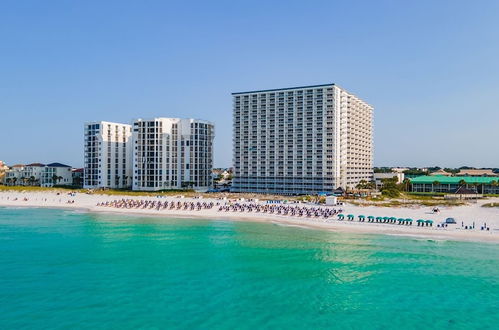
467,214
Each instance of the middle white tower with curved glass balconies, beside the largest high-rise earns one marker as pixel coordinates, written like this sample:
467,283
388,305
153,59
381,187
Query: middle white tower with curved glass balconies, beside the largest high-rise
172,153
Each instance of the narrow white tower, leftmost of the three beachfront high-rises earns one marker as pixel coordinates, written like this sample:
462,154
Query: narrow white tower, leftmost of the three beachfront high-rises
108,155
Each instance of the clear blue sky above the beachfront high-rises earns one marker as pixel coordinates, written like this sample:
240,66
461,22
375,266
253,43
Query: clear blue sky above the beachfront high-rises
430,69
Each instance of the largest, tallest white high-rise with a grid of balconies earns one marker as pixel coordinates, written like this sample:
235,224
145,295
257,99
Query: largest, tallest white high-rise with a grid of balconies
301,140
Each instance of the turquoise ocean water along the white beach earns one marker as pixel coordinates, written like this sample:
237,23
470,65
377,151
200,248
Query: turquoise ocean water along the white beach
67,269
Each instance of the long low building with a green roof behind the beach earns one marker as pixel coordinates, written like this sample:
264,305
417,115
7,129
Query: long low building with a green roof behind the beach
450,184
